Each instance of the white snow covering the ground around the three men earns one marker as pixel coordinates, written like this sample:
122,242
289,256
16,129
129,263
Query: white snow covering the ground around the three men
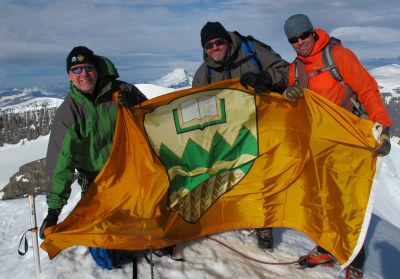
204,257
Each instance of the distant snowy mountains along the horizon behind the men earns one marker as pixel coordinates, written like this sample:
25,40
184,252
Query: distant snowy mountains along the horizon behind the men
27,113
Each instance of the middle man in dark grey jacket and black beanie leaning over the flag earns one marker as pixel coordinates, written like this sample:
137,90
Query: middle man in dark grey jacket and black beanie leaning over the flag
225,58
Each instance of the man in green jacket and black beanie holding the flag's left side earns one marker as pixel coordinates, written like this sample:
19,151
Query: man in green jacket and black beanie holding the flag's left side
83,129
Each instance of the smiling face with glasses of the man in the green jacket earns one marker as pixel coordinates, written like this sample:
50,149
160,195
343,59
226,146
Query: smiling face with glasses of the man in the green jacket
84,77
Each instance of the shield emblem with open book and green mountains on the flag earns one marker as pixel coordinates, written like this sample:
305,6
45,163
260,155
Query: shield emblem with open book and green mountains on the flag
207,141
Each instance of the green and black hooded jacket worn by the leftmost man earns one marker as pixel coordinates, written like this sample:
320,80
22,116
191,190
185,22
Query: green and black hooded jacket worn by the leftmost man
82,133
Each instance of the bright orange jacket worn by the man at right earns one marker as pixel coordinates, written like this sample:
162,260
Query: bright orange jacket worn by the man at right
353,73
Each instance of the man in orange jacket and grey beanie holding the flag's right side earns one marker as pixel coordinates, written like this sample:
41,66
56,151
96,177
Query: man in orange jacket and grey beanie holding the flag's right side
357,88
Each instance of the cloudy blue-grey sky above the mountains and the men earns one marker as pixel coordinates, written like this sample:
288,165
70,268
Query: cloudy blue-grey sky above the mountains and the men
148,39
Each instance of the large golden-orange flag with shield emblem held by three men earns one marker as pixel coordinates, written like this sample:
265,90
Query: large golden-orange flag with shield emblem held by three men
216,158
